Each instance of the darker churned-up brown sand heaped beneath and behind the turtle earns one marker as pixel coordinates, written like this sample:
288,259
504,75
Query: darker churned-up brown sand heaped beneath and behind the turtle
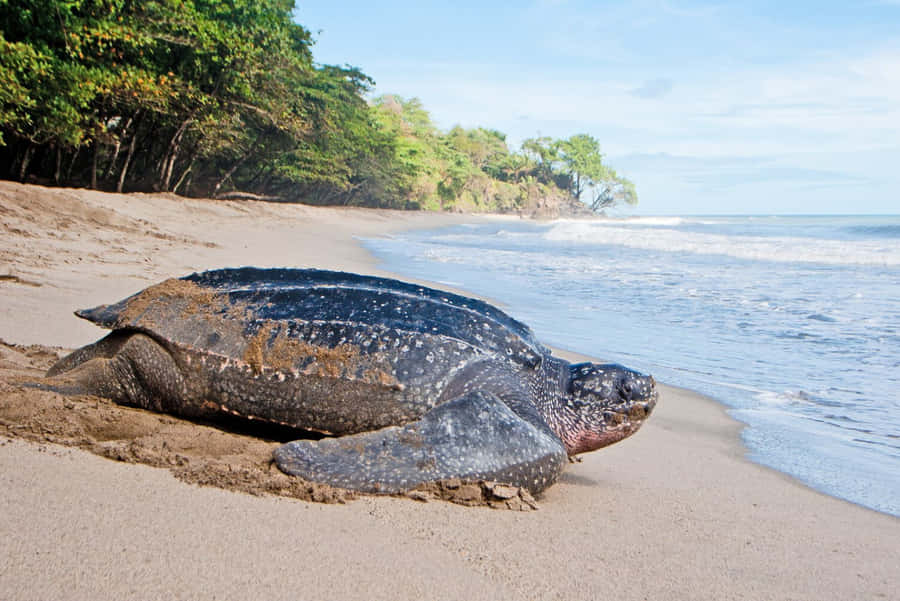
196,453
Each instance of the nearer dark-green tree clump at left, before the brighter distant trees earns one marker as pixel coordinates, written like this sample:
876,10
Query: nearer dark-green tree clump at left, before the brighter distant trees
171,94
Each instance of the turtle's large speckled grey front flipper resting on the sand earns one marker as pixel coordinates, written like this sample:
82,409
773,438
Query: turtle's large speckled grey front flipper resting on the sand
473,437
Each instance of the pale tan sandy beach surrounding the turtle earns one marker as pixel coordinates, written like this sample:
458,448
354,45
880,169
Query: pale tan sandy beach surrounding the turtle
102,502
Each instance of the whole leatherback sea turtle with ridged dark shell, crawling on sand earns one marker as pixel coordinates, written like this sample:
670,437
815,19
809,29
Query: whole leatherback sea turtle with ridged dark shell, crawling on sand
413,384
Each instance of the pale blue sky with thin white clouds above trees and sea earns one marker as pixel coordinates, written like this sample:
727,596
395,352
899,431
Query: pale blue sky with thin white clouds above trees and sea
709,107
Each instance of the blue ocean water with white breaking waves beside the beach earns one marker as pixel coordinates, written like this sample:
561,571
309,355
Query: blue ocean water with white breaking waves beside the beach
792,322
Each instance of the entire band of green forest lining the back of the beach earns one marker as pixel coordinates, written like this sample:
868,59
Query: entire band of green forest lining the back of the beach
207,98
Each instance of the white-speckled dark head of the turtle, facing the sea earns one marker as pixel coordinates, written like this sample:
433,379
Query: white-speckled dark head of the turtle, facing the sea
602,404
